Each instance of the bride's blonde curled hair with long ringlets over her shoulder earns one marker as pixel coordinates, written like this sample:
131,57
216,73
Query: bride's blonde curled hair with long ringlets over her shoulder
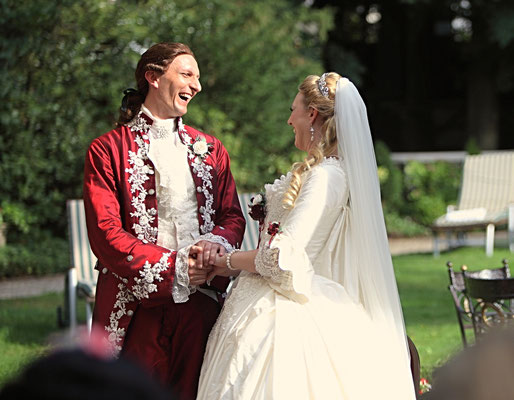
328,142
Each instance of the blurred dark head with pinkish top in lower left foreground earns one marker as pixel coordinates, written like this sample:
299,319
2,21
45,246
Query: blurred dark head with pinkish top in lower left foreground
80,373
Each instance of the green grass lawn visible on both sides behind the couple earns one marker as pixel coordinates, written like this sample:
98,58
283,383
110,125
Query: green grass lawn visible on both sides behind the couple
26,324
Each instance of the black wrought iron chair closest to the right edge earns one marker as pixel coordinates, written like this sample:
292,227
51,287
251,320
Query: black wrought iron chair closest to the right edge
490,294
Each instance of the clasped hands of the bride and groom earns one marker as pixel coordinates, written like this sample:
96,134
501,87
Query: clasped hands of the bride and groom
206,260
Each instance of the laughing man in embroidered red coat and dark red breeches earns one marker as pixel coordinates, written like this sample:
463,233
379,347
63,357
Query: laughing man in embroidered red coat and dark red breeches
153,188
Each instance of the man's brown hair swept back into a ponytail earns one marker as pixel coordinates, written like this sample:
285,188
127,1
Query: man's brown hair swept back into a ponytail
157,58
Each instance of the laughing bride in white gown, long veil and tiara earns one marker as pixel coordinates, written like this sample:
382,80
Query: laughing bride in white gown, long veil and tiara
315,313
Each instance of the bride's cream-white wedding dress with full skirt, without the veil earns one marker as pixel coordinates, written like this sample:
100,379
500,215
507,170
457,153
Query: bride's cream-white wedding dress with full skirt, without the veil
292,331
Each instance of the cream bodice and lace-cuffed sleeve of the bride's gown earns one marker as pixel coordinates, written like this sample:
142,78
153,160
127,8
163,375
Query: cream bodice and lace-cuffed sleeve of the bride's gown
292,252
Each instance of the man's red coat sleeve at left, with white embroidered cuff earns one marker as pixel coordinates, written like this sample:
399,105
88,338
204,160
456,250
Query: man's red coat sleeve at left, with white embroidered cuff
147,269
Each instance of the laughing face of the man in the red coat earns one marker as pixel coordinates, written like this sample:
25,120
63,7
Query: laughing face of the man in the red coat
177,86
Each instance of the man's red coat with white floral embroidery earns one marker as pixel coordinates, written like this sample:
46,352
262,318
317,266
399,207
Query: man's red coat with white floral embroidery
121,213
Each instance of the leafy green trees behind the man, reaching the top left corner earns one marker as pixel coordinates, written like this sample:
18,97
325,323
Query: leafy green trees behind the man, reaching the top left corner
65,63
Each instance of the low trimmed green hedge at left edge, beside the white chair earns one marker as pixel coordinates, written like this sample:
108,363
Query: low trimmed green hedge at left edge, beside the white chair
39,257
